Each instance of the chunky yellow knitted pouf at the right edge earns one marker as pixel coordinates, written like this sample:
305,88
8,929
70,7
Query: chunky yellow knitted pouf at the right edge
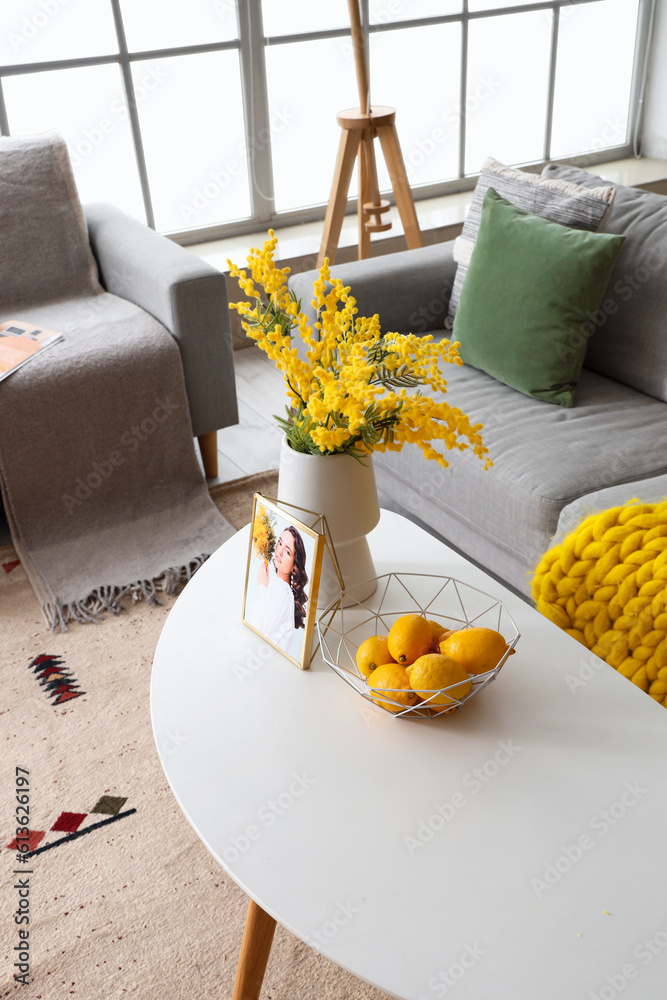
606,584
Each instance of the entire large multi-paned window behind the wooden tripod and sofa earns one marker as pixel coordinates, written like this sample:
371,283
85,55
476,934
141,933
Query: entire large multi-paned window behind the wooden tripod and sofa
218,117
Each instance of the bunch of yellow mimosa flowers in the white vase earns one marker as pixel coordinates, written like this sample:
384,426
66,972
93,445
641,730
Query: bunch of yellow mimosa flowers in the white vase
350,387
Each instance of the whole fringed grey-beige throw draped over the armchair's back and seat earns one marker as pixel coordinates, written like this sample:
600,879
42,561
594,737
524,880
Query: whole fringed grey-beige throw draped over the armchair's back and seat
98,472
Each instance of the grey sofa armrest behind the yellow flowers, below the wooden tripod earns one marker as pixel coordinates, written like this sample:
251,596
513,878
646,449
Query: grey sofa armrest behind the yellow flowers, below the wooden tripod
408,290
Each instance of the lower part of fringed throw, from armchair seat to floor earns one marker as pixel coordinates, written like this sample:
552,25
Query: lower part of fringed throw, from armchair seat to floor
99,478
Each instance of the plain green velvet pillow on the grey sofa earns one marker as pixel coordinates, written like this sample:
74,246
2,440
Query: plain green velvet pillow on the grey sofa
529,299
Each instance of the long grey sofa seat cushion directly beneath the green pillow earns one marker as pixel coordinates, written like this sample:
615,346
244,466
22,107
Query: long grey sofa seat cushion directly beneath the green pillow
545,457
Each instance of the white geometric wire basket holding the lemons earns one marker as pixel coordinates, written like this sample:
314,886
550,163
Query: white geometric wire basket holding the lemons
341,630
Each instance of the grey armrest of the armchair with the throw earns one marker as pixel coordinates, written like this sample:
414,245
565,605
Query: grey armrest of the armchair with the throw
182,292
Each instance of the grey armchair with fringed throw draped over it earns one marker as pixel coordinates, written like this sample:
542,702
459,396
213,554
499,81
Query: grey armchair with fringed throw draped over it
98,472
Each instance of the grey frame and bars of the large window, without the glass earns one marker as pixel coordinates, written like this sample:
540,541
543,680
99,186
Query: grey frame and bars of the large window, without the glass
251,45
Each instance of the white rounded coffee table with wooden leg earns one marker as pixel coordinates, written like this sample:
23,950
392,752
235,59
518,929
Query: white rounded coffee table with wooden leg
514,850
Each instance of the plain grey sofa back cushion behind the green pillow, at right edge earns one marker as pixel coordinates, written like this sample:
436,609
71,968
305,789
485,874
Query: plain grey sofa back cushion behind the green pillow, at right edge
627,336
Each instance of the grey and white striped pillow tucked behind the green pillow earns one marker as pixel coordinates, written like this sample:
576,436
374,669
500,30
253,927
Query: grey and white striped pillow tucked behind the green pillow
555,199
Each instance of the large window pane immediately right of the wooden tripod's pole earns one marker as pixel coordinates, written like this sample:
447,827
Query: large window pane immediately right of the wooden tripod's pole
426,97
